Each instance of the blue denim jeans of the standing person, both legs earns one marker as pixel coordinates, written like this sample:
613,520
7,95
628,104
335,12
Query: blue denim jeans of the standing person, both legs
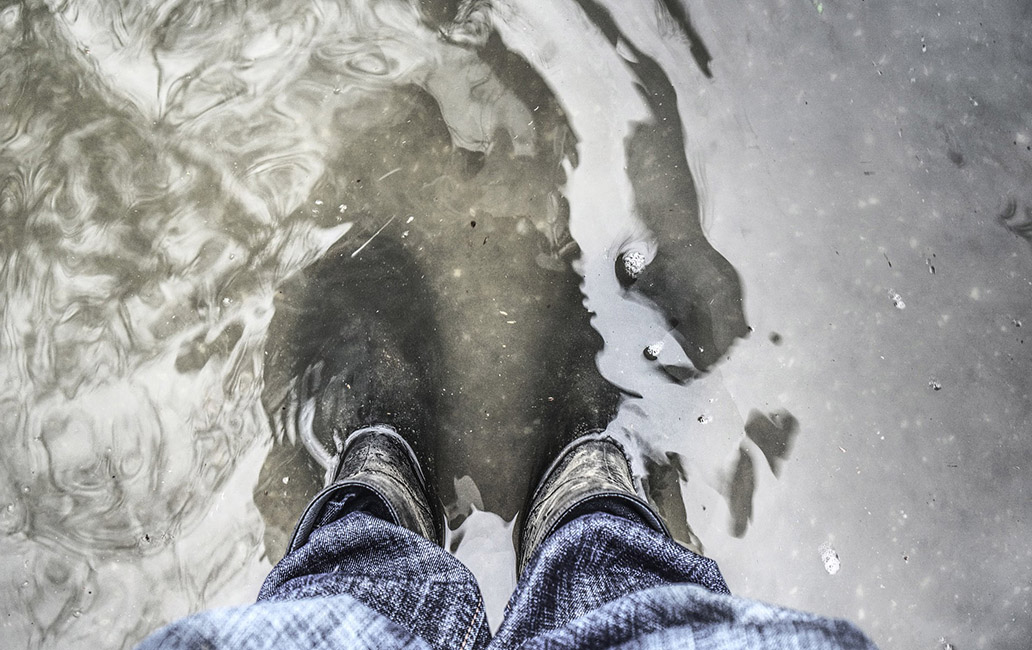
600,581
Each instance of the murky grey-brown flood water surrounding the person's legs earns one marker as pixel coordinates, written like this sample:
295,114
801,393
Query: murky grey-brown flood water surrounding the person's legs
782,250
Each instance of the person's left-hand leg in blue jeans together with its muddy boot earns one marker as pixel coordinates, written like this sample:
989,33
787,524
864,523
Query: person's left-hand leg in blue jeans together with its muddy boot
365,569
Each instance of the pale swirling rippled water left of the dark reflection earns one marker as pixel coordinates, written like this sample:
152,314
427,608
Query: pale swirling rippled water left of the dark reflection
155,164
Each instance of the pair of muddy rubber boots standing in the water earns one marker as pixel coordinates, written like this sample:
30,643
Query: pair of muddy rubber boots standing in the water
379,474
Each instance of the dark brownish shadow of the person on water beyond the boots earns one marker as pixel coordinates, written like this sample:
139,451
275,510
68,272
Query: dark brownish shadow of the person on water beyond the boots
454,309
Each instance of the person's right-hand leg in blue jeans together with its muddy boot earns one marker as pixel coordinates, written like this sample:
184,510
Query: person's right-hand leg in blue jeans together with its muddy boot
599,571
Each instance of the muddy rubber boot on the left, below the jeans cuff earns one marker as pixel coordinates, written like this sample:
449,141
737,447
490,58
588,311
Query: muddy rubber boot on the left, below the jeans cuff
378,474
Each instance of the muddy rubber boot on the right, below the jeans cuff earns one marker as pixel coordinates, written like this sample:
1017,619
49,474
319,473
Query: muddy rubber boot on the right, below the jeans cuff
591,475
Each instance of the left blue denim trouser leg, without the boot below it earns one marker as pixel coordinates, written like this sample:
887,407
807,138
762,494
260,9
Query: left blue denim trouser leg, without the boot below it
360,582
